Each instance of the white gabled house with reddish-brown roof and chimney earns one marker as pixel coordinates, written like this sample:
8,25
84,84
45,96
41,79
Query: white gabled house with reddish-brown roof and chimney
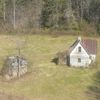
82,53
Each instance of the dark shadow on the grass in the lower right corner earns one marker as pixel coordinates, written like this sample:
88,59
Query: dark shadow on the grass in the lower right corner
94,89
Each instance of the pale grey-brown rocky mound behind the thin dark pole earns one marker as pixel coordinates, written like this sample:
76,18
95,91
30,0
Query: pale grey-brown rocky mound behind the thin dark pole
14,66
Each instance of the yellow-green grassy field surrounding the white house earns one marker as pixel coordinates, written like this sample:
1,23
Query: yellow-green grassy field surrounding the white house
45,80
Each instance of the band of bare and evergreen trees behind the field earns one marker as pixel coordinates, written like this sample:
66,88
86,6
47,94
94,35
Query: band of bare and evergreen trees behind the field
82,15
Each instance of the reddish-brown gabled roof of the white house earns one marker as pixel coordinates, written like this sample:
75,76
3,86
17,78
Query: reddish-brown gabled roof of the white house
89,45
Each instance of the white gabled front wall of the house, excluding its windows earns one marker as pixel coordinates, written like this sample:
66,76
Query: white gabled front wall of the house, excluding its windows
83,56
